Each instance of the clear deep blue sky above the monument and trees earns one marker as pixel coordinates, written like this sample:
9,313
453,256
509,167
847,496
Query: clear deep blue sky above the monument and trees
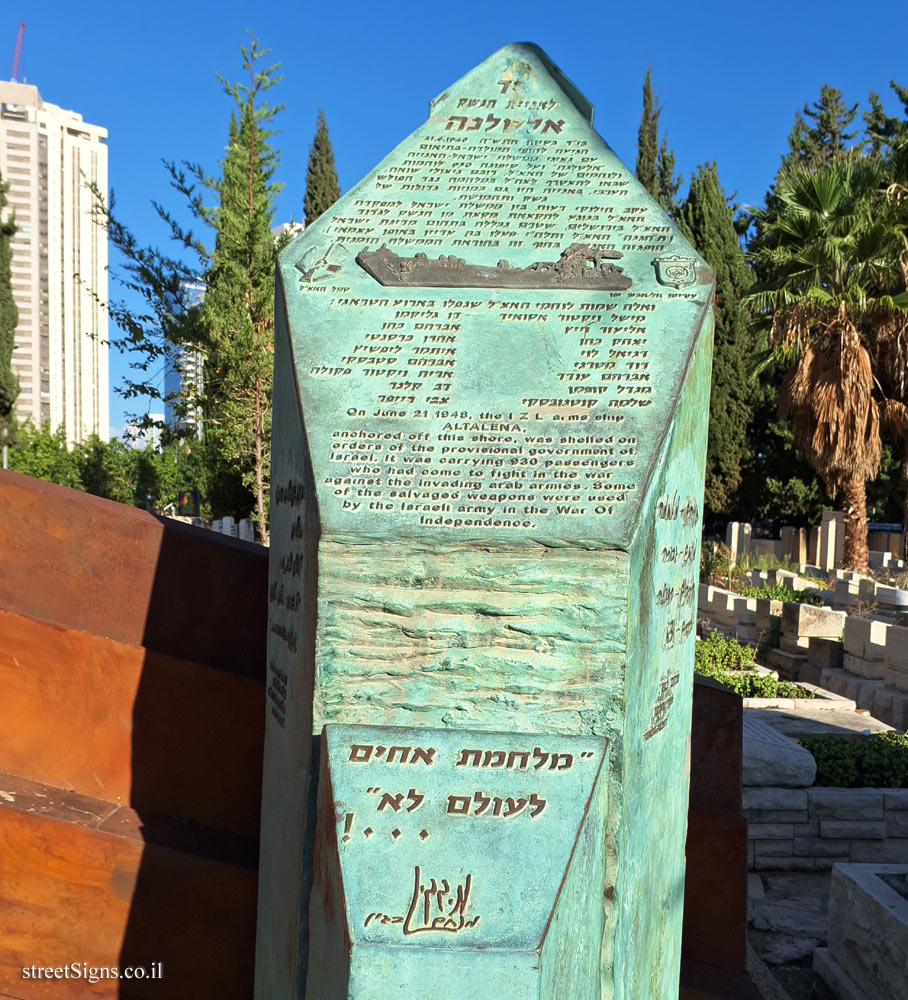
730,76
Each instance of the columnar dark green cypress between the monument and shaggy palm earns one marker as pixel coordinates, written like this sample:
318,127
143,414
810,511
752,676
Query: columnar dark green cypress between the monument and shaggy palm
706,220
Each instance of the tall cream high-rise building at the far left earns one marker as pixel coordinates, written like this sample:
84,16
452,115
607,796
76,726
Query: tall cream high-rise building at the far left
50,159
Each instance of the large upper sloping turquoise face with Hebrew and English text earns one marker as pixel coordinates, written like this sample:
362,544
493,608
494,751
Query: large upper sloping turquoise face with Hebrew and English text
500,298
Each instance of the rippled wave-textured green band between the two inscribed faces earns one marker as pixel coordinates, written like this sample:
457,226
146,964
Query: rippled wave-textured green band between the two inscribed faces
467,636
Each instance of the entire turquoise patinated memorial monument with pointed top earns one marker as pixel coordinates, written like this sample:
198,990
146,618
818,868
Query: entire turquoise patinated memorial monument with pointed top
492,363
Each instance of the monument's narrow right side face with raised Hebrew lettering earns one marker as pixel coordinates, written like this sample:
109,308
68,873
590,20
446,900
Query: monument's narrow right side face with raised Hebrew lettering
652,828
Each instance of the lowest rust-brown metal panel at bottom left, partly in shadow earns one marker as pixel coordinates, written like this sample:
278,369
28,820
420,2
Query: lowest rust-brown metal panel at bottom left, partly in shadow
72,894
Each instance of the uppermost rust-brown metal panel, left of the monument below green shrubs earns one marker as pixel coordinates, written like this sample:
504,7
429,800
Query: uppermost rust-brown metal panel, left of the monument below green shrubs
115,571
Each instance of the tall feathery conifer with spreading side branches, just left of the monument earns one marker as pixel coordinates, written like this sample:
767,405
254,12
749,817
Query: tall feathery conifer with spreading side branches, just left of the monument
233,326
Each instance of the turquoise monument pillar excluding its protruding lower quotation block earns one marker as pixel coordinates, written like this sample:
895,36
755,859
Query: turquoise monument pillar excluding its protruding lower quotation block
492,363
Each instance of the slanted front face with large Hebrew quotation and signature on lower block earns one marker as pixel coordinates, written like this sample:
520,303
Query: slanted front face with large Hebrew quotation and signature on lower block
416,813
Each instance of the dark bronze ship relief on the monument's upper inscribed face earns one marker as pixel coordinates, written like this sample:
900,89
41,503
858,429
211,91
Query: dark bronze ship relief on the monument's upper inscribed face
580,266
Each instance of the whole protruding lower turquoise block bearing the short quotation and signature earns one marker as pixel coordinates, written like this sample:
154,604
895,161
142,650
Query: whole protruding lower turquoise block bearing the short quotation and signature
457,865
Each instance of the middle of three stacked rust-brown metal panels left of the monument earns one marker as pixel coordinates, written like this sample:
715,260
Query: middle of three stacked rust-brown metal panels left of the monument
132,727
